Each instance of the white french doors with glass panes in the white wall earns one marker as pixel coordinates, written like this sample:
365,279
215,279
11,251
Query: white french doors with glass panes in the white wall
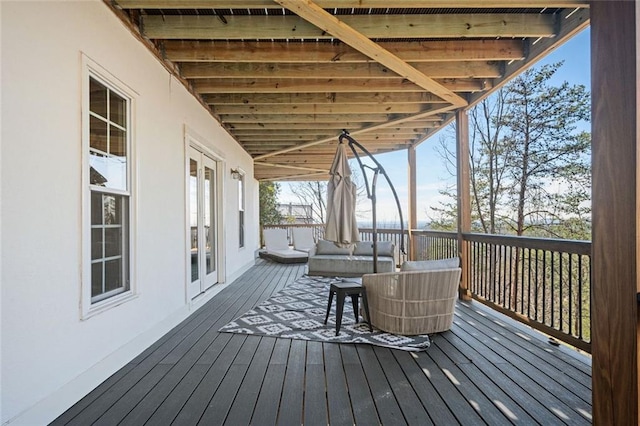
202,217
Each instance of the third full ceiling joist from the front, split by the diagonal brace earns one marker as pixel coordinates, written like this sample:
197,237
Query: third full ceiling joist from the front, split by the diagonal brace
449,69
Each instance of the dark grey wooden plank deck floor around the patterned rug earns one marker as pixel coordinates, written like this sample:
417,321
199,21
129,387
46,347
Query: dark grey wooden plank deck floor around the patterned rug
486,370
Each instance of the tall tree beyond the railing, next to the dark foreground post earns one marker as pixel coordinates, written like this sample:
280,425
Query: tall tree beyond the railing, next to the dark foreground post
549,161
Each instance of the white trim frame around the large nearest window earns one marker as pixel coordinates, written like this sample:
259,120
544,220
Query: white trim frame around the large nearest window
88,309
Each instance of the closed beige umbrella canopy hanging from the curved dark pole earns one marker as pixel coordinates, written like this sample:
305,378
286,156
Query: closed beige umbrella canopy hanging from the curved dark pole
341,227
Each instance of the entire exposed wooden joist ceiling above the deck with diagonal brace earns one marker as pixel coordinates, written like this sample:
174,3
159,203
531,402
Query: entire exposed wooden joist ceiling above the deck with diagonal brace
286,77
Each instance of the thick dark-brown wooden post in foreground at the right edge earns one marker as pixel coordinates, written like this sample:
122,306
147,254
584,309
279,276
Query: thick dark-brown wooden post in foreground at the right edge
615,95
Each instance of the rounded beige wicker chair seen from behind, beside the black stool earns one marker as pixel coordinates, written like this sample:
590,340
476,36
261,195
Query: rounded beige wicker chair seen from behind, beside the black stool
410,303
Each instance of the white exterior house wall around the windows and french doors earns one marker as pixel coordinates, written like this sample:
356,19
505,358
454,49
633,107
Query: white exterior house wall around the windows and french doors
49,354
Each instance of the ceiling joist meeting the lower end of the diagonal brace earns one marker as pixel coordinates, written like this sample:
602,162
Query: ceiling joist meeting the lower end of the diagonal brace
320,98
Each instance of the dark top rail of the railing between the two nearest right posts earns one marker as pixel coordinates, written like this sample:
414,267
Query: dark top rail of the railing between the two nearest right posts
567,246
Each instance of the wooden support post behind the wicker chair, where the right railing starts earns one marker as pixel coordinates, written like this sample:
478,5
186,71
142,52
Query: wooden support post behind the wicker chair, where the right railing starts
464,197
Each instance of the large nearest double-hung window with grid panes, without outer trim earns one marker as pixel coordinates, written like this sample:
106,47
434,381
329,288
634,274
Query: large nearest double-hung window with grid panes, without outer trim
108,144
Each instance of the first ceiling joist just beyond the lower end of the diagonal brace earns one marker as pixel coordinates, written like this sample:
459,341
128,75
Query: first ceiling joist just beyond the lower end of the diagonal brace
319,109
